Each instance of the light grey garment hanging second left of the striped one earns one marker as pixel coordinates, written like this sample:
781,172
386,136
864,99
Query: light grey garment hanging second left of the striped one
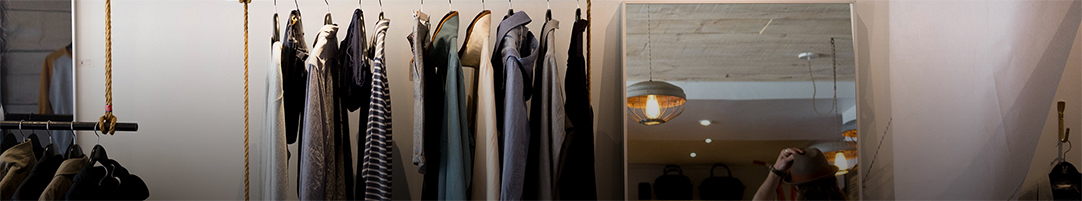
322,176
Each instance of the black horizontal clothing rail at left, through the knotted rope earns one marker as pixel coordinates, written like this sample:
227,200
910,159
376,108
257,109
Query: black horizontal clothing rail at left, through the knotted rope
60,123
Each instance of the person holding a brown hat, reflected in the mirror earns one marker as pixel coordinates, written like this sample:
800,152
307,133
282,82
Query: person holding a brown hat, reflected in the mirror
808,170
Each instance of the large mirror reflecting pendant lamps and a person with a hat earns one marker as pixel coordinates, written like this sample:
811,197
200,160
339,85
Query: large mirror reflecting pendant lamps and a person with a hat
735,85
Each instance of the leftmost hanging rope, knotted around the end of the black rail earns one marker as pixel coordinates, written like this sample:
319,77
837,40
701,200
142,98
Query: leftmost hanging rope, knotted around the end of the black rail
109,118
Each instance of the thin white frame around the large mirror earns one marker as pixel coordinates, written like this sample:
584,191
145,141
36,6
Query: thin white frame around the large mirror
624,68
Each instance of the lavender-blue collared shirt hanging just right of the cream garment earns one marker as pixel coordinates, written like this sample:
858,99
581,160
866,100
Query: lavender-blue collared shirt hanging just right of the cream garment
518,51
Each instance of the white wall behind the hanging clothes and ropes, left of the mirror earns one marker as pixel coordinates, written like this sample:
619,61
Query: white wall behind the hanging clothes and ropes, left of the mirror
178,72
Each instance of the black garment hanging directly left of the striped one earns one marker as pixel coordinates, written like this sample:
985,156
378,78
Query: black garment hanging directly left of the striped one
354,92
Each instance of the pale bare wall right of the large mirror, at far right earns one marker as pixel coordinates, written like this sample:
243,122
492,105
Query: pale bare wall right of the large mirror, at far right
971,87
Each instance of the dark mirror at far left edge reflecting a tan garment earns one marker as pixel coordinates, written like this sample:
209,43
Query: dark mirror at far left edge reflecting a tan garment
37,62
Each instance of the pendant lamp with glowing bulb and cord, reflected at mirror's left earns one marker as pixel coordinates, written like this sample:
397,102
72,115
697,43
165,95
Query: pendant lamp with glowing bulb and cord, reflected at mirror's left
654,103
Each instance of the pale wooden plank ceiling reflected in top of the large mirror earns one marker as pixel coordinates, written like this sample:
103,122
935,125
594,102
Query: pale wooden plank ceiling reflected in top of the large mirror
738,42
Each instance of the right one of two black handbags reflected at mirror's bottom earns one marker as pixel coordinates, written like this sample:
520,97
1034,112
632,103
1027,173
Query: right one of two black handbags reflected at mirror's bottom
721,187
